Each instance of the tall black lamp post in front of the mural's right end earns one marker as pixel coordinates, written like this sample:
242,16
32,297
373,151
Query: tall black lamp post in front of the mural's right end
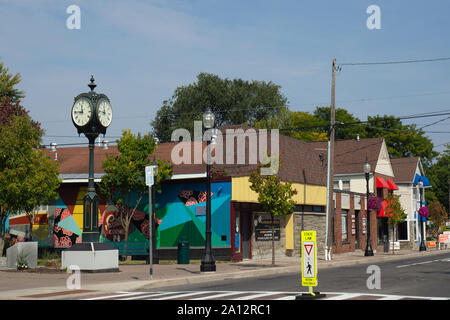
208,263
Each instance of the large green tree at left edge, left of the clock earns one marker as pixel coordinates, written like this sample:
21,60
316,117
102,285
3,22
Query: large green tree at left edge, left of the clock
28,178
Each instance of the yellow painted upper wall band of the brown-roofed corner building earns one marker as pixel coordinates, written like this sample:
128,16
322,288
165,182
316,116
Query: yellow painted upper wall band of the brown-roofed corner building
315,195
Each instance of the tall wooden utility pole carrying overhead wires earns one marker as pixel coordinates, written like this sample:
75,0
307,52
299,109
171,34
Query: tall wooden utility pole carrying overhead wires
330,169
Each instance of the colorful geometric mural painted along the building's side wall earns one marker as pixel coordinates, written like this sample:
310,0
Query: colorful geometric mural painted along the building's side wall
180,215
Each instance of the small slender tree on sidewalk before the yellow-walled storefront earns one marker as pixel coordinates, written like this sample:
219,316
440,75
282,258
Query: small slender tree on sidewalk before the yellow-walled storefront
274,195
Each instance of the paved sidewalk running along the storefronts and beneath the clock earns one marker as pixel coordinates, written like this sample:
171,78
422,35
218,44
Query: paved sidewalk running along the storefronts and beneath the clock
22,285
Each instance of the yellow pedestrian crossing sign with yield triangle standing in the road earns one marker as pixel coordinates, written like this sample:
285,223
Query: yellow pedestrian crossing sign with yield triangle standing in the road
309,259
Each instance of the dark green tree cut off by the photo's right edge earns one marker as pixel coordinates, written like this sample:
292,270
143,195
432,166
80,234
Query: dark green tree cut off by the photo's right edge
439,176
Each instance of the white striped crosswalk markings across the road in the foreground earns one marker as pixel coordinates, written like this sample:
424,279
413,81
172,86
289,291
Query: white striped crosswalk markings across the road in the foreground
247,295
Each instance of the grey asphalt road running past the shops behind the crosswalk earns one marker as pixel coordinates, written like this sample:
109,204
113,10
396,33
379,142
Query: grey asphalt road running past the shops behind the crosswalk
422,276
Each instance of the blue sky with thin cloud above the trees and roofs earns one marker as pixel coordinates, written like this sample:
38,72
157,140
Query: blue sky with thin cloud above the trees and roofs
140,51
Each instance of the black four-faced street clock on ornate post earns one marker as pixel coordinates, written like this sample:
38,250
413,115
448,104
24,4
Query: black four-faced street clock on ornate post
91,115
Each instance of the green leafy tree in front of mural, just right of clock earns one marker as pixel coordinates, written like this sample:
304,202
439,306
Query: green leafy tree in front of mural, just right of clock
123,183
